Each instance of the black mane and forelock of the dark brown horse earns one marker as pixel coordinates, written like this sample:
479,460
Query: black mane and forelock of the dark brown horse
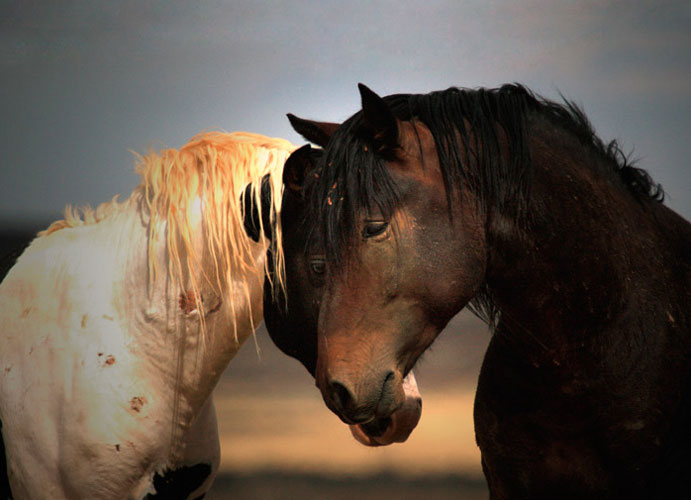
351,177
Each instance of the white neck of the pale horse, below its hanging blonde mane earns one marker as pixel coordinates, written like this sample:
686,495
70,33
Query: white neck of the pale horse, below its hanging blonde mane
184,353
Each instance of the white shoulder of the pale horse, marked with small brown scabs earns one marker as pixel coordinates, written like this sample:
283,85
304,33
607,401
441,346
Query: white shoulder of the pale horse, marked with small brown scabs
66,353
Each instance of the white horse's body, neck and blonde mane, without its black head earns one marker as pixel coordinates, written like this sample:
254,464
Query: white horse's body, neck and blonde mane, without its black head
116,324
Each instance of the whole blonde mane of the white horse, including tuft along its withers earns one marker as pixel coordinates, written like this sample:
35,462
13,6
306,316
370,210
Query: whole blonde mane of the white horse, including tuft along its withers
210,172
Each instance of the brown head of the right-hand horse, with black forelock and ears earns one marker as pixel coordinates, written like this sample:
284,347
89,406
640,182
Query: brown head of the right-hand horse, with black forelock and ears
367,256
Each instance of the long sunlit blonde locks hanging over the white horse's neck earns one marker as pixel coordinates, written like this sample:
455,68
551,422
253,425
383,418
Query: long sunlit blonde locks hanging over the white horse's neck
214,167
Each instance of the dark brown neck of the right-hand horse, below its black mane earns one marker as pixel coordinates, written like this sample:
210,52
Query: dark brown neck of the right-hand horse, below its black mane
590,253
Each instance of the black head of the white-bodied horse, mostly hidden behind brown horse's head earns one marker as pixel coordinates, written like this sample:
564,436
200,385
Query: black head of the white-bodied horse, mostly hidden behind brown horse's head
290,311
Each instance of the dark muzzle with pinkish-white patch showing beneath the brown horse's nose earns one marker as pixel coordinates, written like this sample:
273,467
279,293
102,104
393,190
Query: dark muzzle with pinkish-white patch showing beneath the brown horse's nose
397,428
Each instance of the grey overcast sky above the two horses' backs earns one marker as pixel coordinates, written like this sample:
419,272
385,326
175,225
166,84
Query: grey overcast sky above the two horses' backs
85,83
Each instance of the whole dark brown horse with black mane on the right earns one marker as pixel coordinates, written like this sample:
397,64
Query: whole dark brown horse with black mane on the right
510,204
